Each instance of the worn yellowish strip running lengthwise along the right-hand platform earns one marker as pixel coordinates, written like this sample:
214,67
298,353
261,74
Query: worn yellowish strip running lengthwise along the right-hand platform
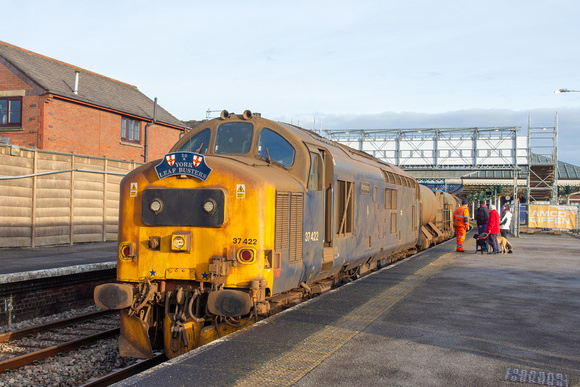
291,366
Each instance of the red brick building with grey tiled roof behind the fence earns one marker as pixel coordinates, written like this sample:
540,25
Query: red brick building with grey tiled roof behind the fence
50,105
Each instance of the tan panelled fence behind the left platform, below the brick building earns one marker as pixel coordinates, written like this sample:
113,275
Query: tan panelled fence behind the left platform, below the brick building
50,198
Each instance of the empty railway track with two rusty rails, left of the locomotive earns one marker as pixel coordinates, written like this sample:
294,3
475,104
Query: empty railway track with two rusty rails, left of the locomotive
33,344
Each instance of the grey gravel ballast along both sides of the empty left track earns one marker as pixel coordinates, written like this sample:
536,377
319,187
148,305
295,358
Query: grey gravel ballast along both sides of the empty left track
72,369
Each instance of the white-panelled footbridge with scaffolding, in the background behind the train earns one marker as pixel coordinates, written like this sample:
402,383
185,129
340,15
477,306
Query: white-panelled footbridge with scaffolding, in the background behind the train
474,162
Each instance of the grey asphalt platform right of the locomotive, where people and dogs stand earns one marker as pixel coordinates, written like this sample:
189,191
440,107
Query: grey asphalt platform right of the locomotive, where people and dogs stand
438,318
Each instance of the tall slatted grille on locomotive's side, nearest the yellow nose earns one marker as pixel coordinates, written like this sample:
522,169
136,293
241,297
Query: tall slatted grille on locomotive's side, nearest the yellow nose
289,213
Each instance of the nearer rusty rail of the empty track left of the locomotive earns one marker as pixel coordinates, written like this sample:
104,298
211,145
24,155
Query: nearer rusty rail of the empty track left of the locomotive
42,354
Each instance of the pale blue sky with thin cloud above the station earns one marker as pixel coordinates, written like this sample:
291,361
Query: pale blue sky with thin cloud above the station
360,64
